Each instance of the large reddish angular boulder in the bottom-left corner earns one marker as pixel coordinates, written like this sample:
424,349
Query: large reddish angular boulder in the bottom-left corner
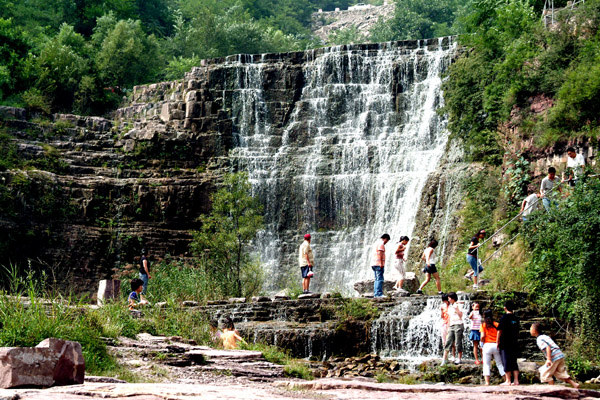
52,362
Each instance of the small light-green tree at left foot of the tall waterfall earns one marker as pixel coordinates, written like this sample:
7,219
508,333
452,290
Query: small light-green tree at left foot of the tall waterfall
223,242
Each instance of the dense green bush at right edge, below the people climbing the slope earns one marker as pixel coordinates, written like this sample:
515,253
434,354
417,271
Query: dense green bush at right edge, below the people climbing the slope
562,272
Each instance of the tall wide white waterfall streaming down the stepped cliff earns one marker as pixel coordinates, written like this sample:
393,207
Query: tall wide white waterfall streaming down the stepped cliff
350,160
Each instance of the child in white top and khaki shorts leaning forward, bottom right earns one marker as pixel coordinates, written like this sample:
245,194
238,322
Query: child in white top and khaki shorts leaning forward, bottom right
555,359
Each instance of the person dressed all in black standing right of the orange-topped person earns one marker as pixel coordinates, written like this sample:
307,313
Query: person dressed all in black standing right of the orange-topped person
508,344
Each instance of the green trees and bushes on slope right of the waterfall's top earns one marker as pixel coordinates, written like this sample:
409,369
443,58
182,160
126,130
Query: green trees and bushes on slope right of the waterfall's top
511,61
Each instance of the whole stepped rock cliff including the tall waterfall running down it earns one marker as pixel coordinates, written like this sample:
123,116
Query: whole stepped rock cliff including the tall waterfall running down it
337,141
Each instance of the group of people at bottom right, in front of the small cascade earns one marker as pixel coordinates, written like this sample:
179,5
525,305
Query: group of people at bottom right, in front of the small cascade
499,341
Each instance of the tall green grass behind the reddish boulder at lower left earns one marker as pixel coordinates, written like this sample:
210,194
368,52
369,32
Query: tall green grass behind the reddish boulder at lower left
30,314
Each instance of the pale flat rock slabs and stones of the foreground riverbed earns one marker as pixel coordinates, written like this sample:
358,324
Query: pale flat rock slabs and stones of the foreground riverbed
174,368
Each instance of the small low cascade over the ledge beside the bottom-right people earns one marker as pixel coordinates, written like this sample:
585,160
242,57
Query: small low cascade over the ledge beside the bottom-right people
412,331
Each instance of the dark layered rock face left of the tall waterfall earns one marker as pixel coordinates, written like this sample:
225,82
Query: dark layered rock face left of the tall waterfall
89,203
